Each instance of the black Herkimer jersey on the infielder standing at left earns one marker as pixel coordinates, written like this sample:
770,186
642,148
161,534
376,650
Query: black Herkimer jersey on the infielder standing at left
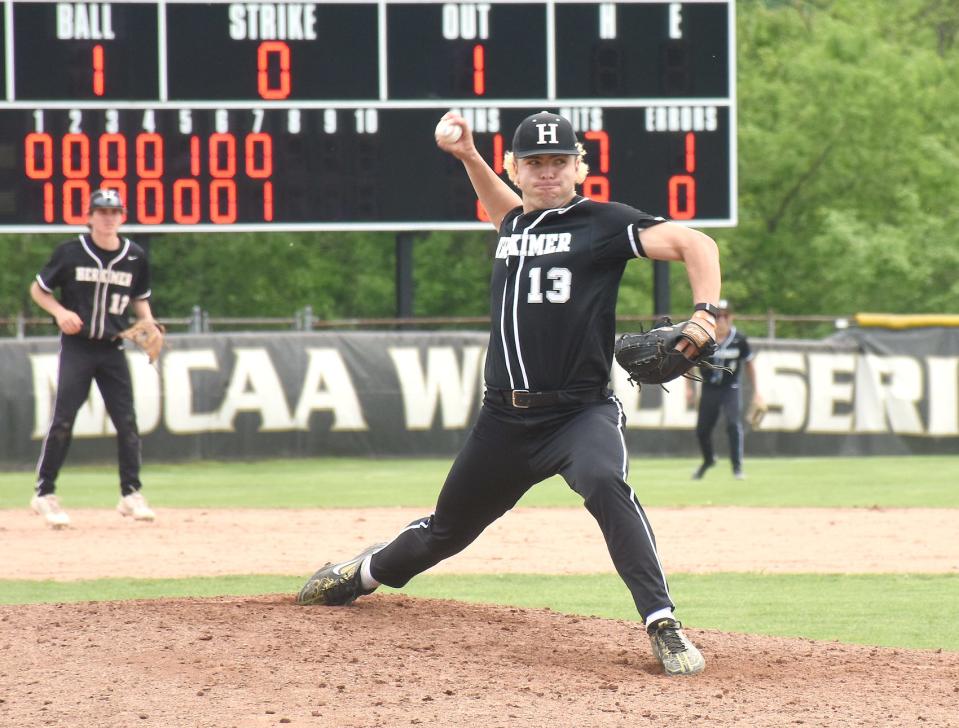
97,284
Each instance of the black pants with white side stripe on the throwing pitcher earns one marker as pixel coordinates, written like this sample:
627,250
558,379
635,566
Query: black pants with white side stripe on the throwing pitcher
506,453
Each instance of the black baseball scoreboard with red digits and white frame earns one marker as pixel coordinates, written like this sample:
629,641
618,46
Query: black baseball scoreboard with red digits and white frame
311,116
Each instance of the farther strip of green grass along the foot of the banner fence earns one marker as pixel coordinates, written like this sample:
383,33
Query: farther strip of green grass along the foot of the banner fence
889,482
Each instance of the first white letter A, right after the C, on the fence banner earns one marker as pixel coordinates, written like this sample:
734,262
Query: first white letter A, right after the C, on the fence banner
255,387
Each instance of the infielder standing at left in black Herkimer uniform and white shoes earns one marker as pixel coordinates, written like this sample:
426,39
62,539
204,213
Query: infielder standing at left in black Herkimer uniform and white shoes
99,274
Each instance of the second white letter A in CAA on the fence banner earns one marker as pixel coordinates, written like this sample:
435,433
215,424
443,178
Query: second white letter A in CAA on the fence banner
327,386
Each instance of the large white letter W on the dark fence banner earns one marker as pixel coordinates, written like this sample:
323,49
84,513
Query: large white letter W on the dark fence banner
443,381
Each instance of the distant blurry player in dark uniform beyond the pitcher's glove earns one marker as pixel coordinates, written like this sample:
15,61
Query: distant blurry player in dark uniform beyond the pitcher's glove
721,392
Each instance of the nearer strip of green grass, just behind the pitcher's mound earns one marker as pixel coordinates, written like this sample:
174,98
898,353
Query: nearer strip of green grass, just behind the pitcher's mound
891,610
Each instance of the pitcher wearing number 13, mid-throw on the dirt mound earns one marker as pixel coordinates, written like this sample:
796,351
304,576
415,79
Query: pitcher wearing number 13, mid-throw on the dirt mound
547,408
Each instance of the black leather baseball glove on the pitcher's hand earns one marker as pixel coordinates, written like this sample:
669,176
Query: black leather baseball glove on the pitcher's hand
651,357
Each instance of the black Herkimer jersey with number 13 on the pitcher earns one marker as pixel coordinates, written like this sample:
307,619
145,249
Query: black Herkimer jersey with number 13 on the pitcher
553,294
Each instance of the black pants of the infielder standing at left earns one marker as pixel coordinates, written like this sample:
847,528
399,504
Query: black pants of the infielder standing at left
83,361
